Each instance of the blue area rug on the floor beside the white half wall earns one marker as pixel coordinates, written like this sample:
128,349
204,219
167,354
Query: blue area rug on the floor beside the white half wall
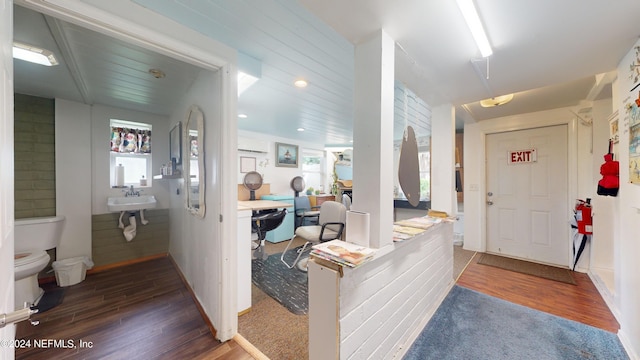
471,325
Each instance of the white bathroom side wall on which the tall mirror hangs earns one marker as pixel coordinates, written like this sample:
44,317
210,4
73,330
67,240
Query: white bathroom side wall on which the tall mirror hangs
195,243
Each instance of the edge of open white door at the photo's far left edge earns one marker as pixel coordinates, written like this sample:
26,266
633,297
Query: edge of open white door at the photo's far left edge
6,174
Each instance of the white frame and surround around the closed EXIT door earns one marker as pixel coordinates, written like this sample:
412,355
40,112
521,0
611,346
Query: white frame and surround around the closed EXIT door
475,187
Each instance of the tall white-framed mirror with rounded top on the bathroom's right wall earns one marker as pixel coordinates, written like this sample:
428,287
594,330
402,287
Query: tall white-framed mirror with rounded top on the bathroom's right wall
193,163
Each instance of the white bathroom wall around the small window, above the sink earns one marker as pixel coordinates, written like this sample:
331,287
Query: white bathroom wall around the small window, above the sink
101,115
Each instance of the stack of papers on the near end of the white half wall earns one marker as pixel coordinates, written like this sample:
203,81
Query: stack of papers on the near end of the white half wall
343,253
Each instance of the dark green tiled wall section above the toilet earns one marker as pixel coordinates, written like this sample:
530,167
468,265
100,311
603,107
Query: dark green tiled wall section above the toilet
35,159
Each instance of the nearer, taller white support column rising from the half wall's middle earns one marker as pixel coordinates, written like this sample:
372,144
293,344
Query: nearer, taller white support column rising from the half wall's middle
373,135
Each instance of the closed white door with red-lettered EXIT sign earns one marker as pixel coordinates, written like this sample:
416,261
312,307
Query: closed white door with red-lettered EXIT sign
527,190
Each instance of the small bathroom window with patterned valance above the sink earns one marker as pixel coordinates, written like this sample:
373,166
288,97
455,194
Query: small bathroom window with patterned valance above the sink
130,146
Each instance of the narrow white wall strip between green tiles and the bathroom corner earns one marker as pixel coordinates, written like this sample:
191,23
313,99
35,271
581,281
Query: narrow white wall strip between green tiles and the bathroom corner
73,177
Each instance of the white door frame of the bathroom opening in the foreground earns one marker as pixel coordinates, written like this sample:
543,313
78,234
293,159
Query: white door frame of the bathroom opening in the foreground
208,54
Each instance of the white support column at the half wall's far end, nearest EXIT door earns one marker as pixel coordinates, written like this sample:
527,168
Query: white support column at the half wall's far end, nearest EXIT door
443,181
